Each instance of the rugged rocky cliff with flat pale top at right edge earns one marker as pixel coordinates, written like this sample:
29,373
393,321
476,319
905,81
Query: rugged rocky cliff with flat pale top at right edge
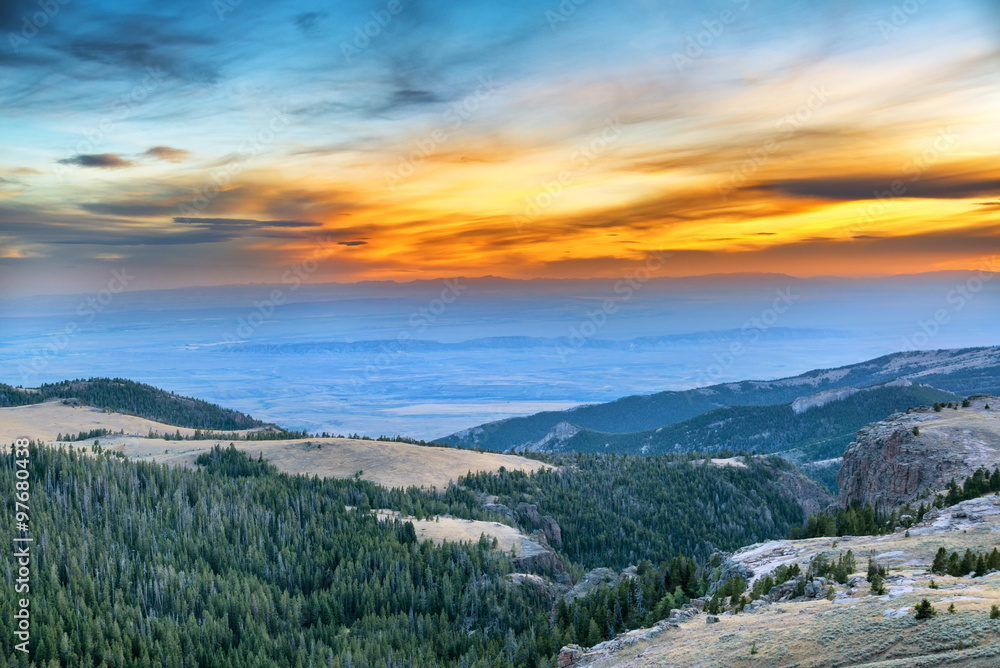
908,457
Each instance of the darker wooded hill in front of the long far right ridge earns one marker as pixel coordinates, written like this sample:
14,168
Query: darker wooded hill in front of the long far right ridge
815,434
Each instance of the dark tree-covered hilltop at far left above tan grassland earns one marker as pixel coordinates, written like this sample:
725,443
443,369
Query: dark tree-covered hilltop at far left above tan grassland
126,396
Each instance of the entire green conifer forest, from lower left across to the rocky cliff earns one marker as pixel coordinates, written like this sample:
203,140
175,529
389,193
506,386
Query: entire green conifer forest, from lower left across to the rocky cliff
236,564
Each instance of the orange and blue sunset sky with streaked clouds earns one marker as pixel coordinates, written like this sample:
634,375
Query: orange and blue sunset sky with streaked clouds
230,141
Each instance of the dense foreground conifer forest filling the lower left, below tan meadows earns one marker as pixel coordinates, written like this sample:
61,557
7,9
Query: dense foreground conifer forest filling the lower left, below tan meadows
139,565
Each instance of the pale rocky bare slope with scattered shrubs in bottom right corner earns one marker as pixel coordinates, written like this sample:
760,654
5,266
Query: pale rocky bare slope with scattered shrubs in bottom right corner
853,629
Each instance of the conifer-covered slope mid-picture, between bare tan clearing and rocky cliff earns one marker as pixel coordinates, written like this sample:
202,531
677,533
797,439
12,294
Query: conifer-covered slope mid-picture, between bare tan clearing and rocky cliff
618,510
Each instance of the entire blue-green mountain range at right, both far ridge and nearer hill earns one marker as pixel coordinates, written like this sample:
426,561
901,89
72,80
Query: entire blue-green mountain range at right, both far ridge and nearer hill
809,417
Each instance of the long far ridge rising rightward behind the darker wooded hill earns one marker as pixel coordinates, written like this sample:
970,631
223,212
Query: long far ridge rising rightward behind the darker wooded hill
964,371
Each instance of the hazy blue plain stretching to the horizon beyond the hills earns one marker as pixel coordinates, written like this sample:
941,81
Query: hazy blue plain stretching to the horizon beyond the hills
416,359
